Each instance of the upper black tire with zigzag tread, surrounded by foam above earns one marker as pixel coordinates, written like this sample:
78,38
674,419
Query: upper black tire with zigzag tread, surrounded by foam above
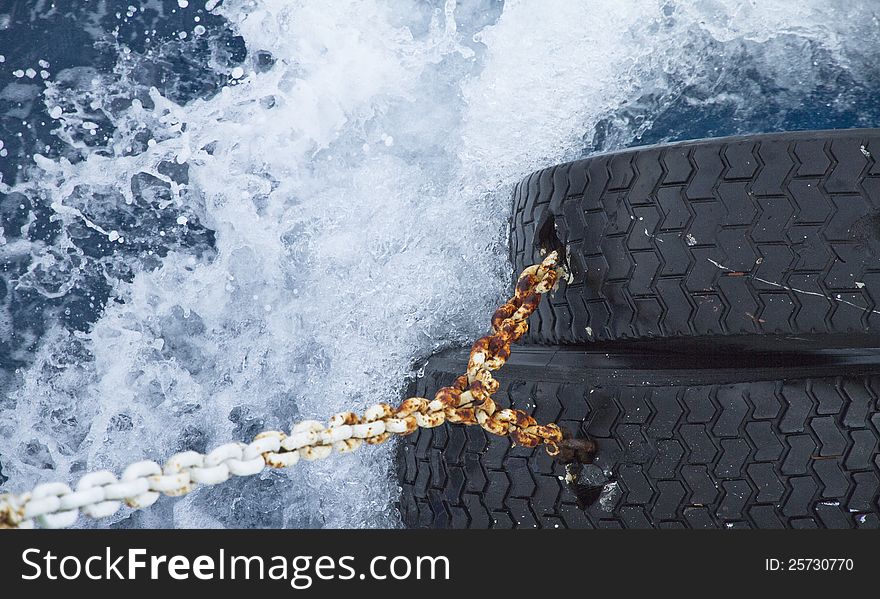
744,241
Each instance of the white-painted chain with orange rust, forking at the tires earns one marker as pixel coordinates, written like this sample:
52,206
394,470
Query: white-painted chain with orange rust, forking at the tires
468,401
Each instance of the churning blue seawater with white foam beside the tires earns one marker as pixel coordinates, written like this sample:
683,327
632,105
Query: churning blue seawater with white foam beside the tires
220,219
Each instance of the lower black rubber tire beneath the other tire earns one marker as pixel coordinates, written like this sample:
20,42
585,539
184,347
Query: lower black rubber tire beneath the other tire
777,442
